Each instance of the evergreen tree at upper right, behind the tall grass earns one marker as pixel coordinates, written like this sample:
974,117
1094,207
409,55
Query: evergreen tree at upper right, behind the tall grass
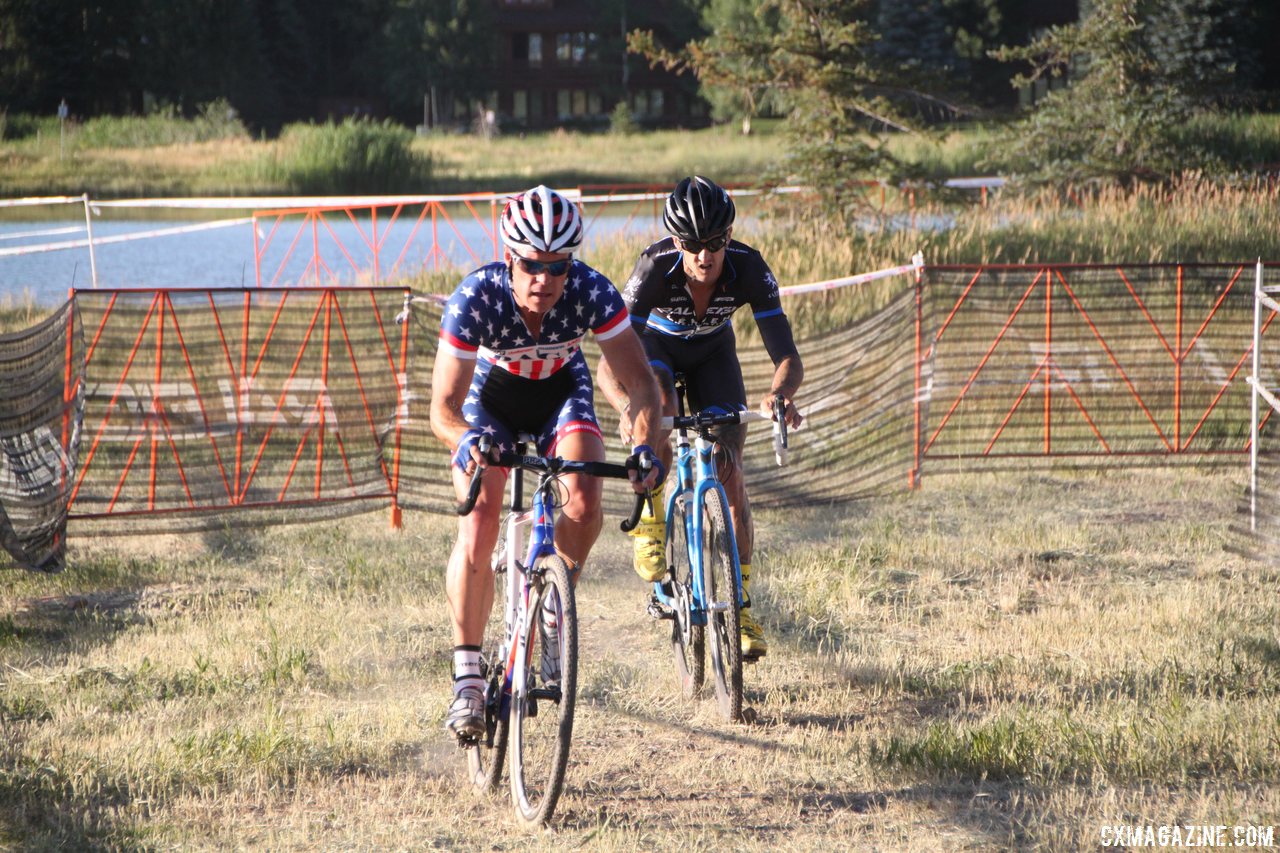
1128,94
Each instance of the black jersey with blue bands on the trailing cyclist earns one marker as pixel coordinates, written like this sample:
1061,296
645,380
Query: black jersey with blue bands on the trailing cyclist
659,299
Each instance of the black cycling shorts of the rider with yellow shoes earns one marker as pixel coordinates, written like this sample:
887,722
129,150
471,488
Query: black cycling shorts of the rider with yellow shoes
714,376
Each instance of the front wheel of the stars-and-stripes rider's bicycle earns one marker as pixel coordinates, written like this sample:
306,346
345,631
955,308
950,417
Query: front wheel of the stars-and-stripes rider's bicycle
542,722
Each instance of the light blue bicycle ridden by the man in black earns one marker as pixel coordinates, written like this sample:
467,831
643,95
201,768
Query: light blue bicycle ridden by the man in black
705,590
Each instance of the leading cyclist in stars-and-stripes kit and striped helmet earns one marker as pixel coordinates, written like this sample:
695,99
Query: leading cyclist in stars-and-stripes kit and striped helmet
510,362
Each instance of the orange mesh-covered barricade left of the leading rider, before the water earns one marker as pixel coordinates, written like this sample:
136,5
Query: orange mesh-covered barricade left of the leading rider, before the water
217,396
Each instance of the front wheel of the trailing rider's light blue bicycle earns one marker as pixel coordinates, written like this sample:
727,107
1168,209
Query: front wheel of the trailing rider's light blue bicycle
720,585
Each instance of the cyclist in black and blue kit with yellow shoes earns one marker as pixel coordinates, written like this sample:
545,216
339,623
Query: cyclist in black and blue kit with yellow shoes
683,297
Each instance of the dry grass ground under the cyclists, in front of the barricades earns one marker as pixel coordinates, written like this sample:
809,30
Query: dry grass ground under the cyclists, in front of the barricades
993,663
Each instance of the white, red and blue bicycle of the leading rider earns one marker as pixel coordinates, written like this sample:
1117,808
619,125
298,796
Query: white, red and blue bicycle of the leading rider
529,659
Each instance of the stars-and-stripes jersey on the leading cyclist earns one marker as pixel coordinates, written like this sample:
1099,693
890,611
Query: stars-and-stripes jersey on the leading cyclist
482,321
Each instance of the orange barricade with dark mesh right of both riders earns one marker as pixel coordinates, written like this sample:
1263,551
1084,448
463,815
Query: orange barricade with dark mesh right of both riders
1126,362
